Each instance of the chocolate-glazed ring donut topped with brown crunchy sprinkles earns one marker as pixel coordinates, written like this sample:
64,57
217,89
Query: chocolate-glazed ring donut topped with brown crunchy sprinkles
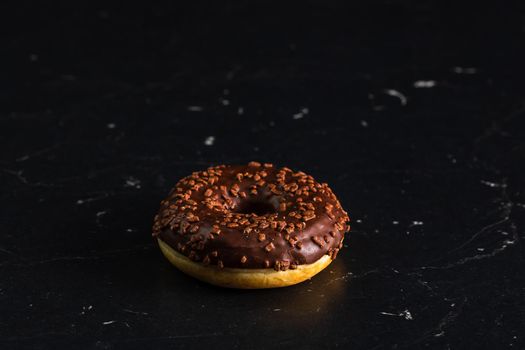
250,226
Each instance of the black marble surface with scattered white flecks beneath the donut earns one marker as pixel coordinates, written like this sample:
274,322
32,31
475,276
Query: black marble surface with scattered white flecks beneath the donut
413,113
